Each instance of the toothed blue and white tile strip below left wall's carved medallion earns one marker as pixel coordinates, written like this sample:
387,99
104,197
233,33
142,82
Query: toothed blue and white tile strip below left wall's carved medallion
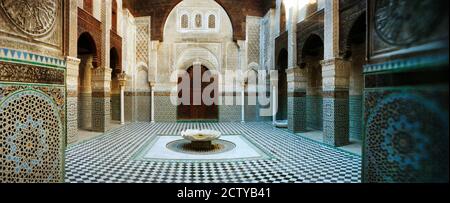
11,55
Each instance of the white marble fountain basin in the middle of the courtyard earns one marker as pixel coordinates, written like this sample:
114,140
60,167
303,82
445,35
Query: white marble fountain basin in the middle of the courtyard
201,140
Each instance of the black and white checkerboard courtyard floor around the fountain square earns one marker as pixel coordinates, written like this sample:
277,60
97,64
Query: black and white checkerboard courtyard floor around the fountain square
109,158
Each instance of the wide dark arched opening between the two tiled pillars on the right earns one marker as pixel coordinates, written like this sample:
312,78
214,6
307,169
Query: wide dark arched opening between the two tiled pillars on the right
312,55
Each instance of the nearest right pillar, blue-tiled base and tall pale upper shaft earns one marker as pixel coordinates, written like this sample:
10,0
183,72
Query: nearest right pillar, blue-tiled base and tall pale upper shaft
335,73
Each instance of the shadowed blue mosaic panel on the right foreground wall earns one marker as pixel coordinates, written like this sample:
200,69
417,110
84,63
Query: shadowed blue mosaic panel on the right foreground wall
406,135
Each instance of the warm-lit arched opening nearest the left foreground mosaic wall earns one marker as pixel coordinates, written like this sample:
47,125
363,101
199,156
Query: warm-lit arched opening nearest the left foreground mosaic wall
87,54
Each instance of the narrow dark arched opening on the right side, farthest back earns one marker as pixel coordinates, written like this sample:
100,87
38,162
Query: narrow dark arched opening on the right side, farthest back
282,85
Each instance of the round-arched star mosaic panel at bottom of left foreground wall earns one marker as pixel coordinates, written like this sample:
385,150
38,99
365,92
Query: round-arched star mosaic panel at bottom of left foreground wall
31,133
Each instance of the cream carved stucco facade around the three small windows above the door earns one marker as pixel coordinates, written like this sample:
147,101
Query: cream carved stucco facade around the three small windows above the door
181,48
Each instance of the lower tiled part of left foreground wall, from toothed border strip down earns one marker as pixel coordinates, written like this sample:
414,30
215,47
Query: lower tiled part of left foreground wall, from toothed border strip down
33,117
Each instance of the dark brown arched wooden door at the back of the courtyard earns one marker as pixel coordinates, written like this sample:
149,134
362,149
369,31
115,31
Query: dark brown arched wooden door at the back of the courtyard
197,109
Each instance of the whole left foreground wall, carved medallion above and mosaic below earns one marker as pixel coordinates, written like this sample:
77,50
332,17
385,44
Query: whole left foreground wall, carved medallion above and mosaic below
32,91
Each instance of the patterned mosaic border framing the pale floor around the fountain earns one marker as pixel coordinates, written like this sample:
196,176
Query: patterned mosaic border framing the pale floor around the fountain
139,155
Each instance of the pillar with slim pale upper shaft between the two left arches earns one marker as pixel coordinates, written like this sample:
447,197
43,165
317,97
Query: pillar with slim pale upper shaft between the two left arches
101,79
